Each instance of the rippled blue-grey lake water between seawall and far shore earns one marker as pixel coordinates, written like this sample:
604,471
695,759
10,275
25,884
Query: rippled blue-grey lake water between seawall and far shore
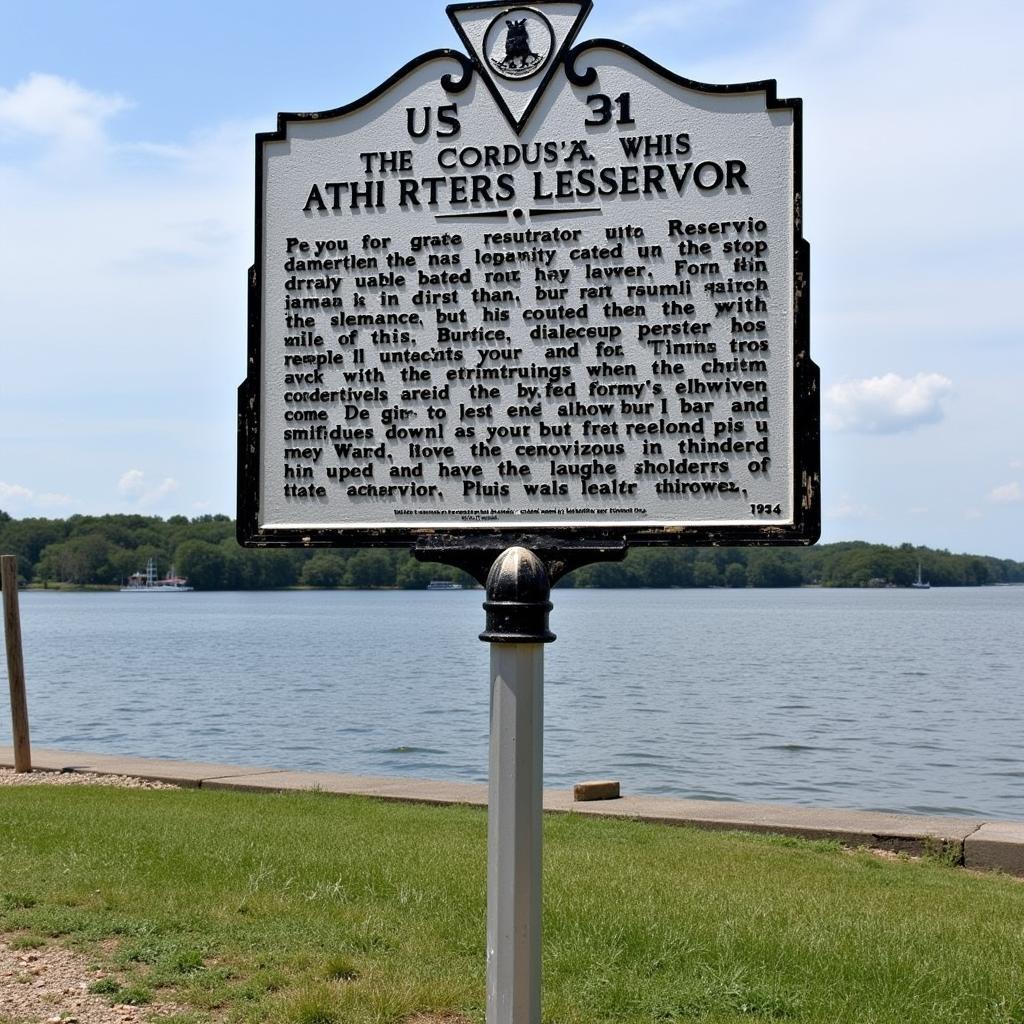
891,700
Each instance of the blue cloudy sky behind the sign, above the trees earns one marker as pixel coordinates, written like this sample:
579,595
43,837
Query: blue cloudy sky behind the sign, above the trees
126,231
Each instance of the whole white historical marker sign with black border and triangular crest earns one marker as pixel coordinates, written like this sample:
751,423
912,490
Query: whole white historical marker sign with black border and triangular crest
540,287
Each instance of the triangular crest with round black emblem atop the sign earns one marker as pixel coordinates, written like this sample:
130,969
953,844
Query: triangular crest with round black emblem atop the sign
518,49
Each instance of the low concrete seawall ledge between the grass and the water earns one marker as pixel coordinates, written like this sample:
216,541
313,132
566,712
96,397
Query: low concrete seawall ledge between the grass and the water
978,844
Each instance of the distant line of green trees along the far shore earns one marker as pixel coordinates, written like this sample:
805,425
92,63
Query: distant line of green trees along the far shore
106,550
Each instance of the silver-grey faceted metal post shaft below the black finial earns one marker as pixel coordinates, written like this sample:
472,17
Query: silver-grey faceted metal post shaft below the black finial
515,806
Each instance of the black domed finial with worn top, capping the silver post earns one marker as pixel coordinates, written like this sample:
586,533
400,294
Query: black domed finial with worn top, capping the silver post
519,600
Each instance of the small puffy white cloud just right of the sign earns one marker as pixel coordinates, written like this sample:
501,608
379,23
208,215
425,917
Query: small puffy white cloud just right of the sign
886,405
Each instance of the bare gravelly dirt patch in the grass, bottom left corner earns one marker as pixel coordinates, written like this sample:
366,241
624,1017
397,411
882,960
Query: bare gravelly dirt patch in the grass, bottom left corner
51,986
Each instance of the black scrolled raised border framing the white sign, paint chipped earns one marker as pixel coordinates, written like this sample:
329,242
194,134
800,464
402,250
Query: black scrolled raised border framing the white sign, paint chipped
806,527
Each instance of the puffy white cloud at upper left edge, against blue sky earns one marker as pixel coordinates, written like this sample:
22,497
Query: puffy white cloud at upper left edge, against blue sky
59,110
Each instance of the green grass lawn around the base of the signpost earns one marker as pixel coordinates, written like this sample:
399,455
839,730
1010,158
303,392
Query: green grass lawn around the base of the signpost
316,910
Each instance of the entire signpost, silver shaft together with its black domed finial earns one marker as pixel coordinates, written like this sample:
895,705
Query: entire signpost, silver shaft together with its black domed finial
518,609
